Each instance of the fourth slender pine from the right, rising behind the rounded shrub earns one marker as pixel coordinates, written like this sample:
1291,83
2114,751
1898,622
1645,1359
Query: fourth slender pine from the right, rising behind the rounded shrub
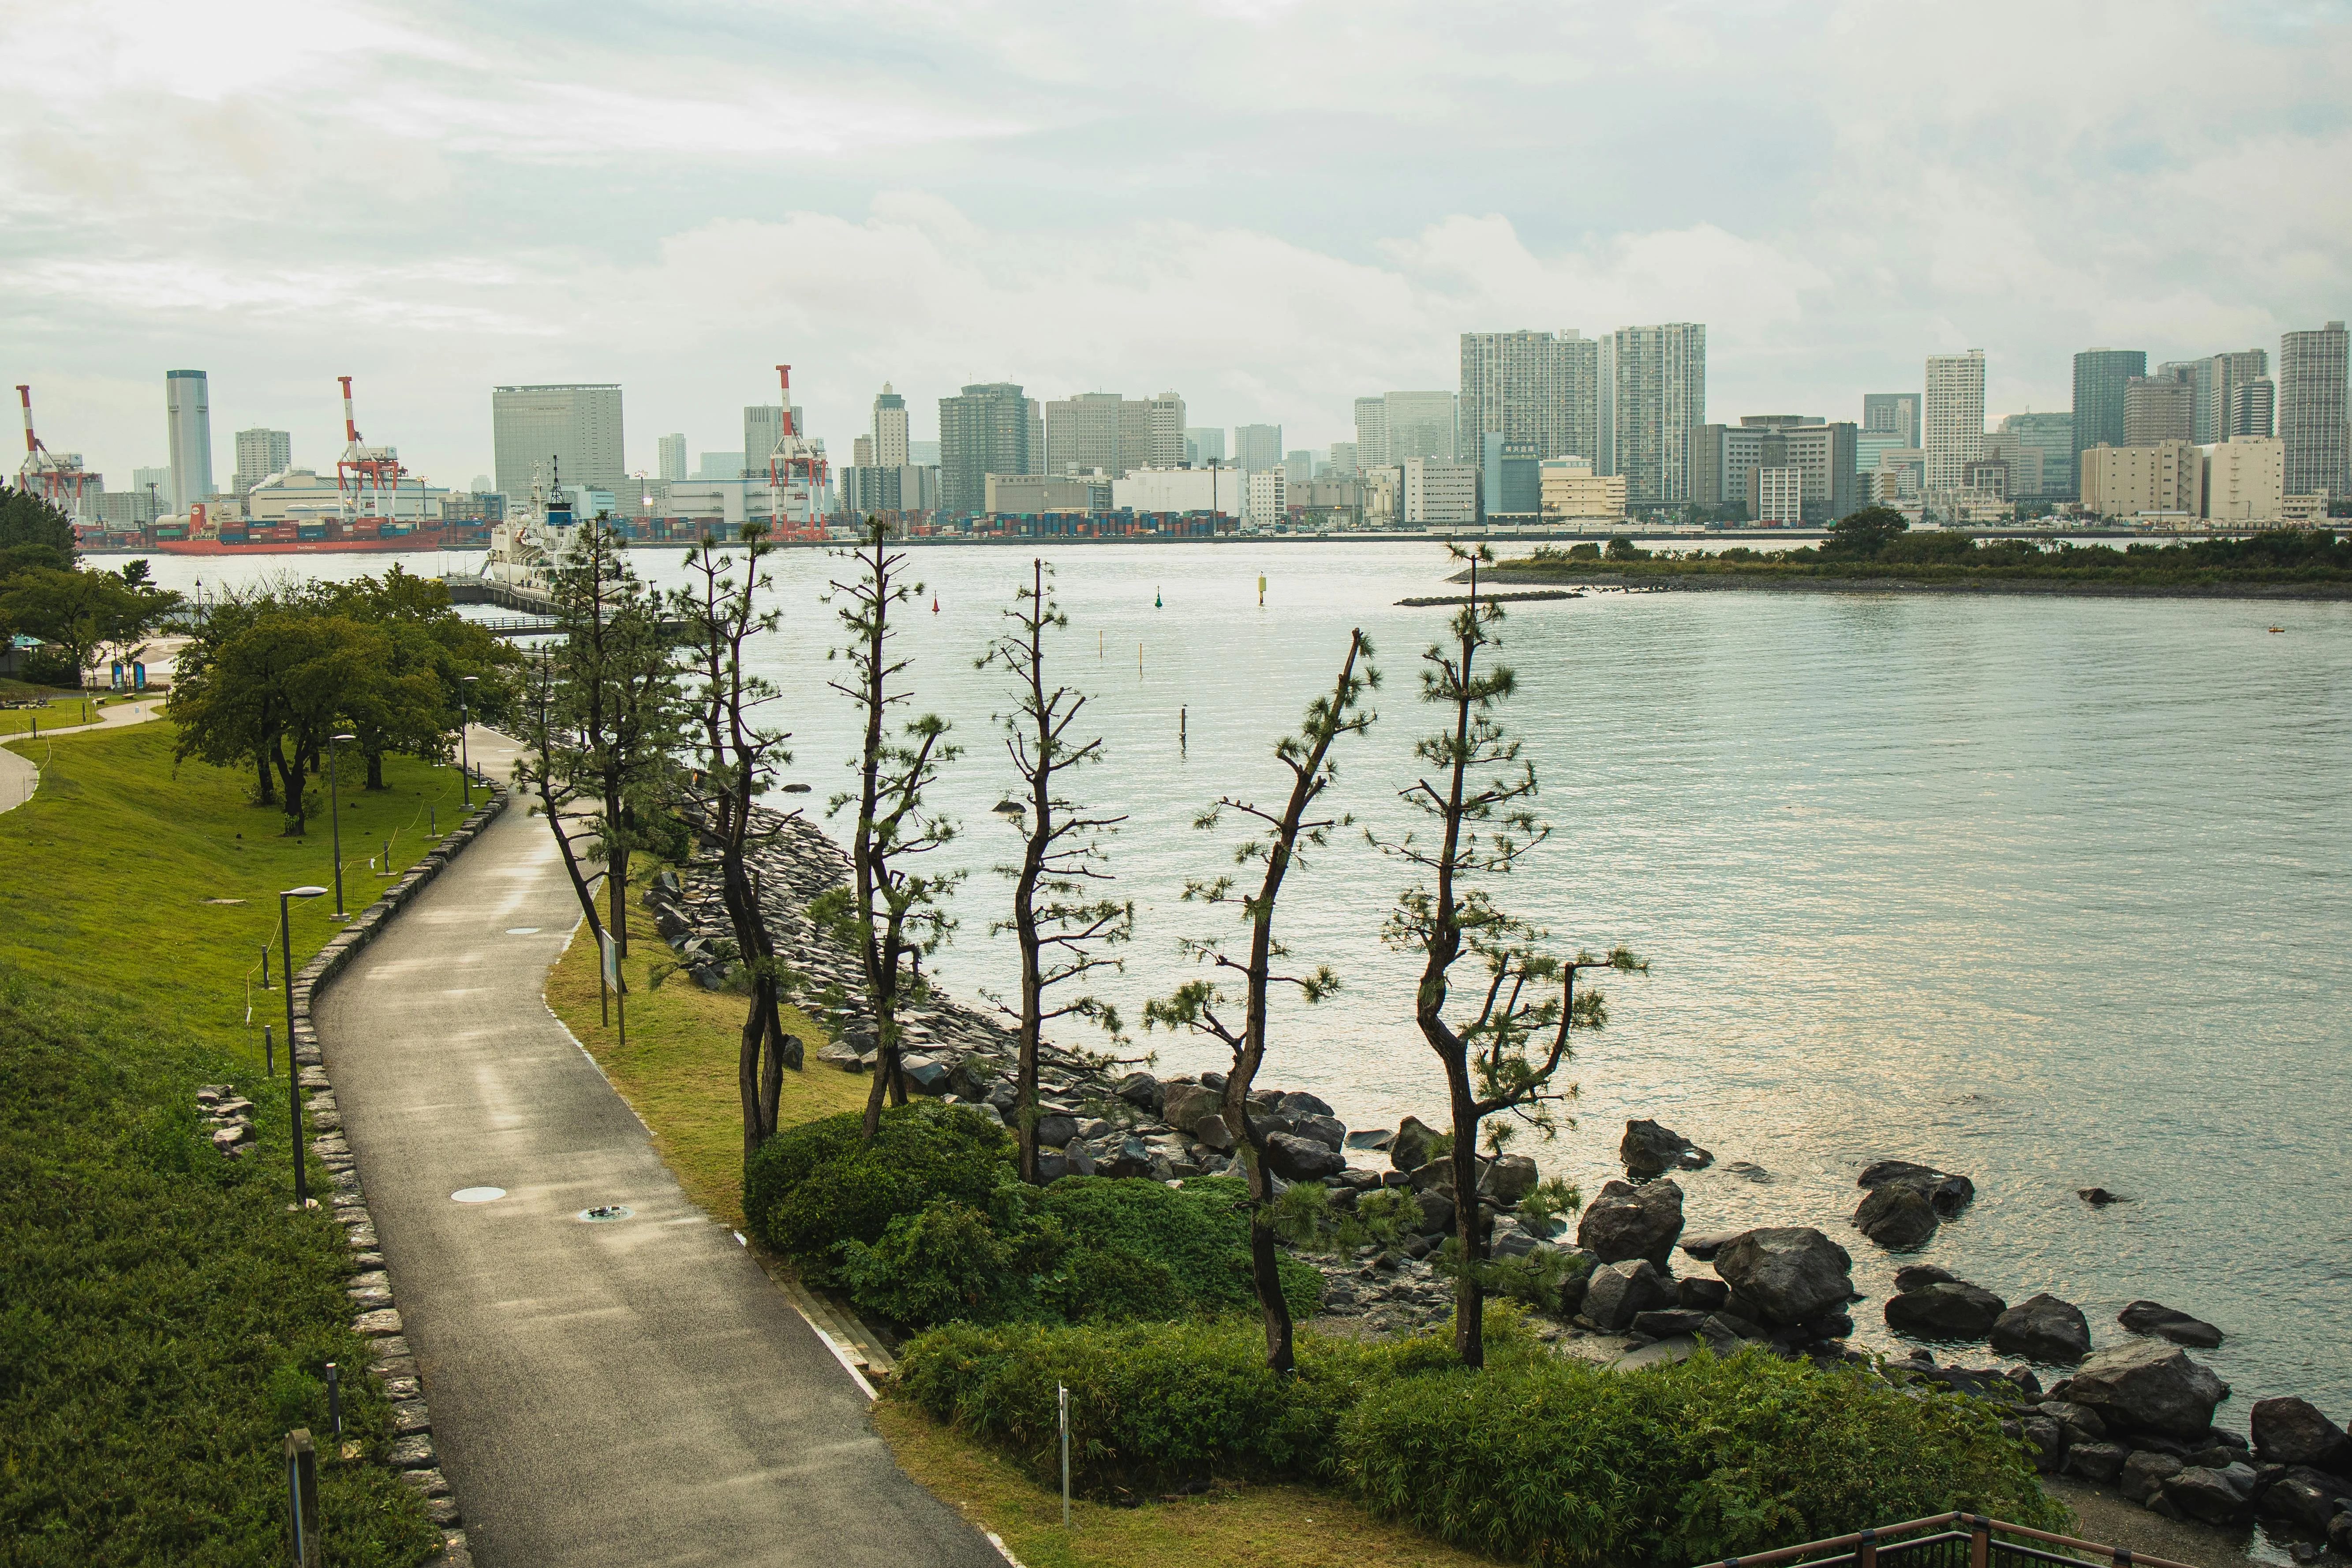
895,911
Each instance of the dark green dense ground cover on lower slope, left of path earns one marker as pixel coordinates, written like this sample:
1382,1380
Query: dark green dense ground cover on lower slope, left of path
163,1318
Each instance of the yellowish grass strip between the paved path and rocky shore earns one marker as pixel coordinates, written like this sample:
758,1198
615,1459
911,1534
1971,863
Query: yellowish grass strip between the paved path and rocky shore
681,1076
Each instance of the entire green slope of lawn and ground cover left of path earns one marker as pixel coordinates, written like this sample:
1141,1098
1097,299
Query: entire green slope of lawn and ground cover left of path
163,1318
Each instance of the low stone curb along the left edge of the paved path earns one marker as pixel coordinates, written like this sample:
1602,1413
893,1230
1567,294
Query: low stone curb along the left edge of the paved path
373,1308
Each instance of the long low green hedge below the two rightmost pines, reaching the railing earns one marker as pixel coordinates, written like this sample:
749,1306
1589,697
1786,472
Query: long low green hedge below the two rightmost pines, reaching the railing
1532,1459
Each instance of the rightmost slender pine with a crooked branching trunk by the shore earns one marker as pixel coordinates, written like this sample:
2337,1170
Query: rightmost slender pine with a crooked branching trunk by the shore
1502,1050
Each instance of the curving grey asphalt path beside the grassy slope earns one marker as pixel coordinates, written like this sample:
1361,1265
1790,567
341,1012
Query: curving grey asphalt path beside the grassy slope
603,1393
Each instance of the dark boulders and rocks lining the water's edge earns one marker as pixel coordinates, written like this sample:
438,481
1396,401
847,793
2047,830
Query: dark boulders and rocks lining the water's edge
2137,1416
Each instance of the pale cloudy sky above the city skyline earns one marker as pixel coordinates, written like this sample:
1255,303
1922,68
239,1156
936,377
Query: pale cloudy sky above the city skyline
1267,206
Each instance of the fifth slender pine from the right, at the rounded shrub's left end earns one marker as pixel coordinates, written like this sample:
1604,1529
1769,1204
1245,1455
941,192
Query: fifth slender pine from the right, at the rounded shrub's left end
735,763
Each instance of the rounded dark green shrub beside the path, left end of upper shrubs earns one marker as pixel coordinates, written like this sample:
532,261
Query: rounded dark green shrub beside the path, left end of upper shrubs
817,1186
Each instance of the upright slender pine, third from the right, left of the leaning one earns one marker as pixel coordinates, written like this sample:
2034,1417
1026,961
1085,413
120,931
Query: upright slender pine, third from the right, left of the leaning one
1060,916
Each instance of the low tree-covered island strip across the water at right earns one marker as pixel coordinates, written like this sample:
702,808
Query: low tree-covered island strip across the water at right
1873,551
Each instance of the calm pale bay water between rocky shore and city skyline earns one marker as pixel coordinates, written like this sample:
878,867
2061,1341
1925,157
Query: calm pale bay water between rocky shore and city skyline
2050,892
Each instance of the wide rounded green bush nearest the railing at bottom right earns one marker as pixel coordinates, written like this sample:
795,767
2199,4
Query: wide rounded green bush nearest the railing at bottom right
1561,1461
